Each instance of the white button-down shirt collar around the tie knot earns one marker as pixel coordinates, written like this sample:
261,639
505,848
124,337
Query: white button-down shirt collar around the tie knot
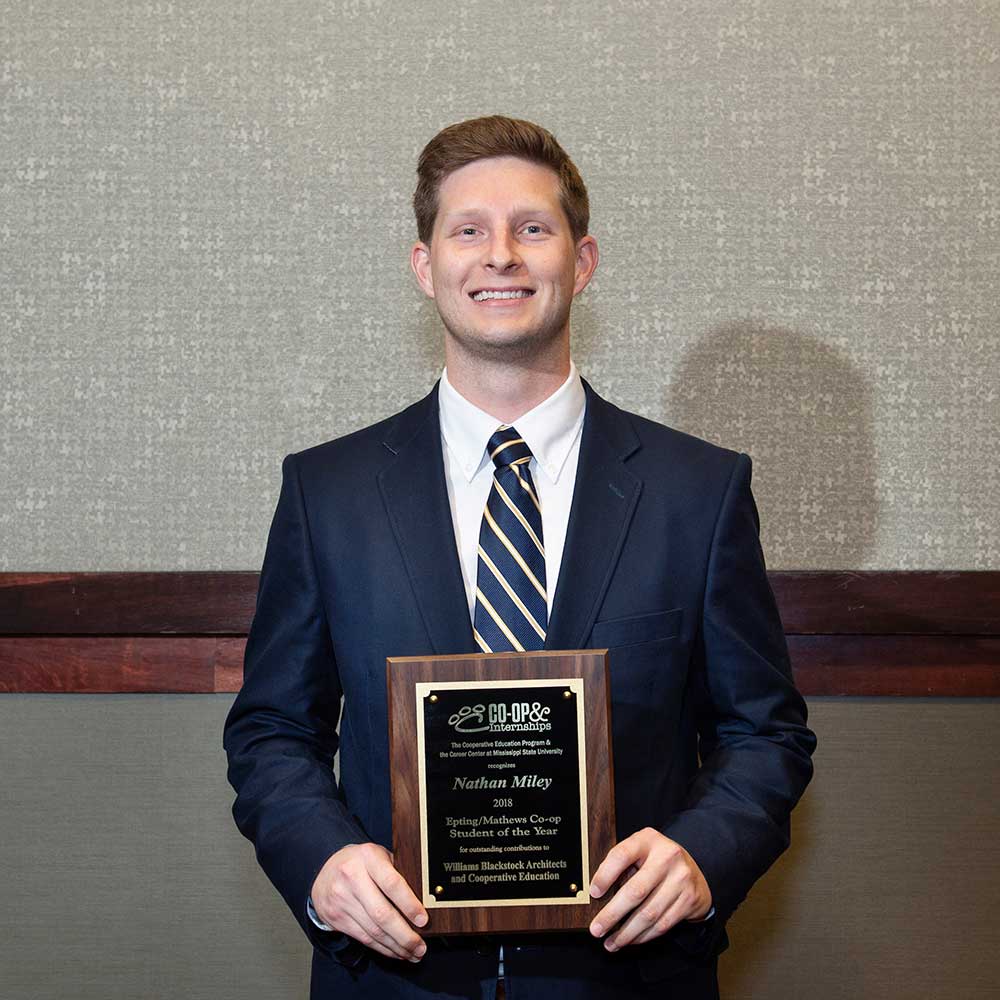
549,429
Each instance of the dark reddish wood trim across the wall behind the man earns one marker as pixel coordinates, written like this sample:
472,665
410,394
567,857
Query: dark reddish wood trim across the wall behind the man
867,633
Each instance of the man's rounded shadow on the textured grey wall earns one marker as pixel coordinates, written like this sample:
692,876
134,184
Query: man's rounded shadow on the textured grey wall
803,412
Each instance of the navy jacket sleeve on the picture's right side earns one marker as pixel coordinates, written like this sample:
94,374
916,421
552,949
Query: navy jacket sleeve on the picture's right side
754,744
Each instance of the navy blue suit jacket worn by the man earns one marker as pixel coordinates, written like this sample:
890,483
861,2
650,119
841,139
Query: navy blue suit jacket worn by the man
662,565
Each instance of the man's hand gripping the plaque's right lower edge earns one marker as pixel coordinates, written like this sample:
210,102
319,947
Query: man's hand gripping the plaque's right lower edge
665,888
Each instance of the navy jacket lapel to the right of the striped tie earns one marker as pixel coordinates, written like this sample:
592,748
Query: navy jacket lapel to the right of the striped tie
604,499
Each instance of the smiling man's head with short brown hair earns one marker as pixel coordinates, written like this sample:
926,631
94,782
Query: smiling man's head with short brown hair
503,246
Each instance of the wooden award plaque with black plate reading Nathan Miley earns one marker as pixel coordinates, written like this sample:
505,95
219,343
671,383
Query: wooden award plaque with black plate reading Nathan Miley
502,793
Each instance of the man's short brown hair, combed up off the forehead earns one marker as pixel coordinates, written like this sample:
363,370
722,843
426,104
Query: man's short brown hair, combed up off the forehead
480,138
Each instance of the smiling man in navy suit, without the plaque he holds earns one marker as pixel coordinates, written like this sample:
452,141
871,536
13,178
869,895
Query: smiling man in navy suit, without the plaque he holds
642,540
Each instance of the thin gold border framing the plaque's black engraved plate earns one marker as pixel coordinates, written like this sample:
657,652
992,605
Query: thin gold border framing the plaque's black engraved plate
575,684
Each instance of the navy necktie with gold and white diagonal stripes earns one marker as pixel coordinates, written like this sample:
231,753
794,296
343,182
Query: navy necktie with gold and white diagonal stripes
510,580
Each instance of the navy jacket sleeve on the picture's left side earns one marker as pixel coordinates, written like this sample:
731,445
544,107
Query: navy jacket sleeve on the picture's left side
280,735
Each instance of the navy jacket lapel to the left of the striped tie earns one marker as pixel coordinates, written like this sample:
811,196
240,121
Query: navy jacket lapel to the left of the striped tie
416,499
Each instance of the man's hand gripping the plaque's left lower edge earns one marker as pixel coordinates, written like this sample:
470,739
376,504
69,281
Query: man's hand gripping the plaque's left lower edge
359,893
